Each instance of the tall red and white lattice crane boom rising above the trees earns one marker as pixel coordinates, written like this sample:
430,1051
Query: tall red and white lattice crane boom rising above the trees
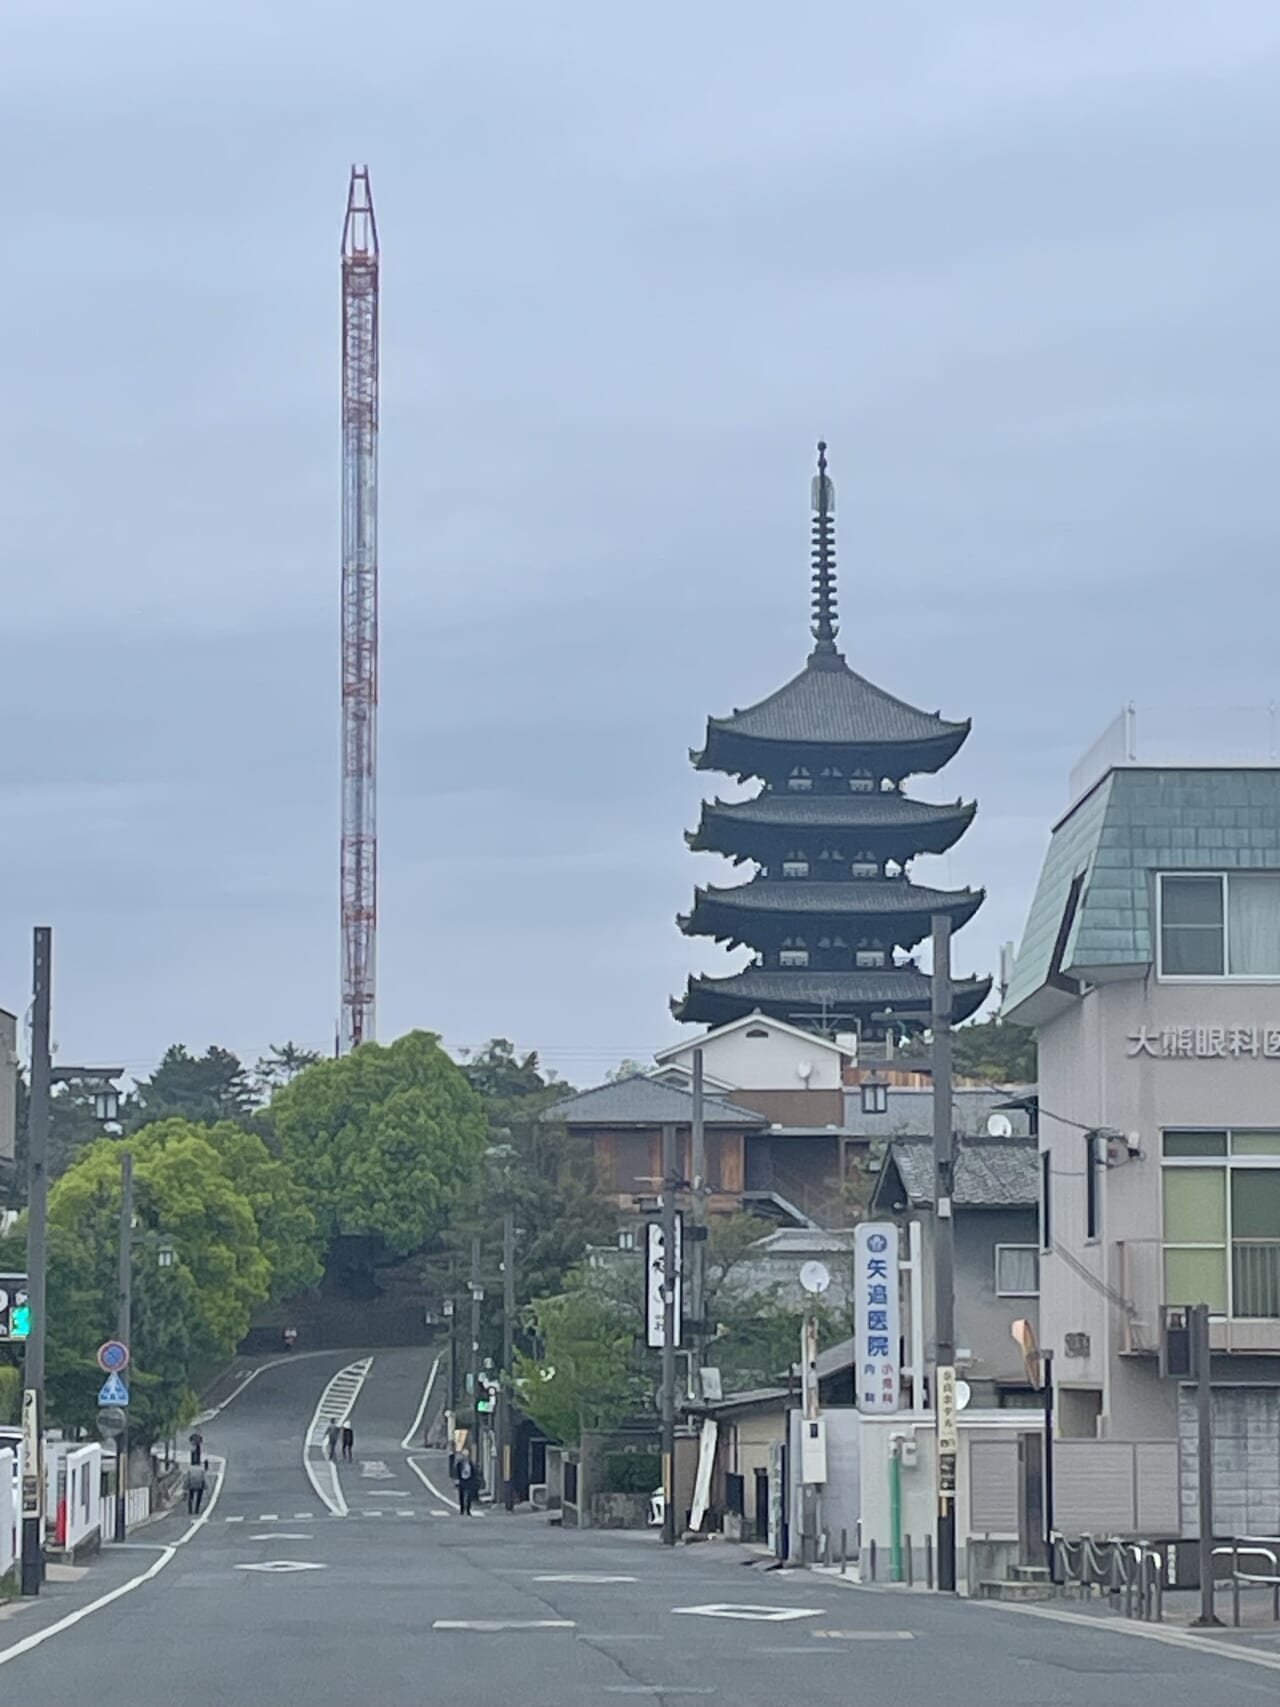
359,834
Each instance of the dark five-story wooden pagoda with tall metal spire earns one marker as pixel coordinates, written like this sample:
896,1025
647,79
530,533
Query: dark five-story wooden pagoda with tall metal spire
832,912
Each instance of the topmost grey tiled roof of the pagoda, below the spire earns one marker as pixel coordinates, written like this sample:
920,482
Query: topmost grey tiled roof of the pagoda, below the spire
830,706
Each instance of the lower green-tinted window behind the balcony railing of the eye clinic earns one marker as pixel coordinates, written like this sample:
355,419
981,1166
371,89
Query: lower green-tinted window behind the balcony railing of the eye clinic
1223,1221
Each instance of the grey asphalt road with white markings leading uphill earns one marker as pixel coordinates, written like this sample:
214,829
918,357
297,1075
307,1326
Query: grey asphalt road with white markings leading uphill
274,1602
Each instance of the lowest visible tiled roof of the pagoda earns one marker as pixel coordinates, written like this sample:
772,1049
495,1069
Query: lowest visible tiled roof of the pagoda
791,993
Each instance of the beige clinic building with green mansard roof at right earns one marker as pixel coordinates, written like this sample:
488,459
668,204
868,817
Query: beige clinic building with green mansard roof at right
1151,972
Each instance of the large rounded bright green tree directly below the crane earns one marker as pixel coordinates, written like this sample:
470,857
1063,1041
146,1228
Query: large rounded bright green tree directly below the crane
383,1141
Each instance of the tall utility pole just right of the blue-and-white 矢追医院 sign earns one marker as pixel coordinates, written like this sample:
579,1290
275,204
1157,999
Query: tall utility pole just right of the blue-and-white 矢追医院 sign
945,1262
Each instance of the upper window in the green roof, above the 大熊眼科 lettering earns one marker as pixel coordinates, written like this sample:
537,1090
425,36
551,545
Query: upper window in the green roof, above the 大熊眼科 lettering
1219,926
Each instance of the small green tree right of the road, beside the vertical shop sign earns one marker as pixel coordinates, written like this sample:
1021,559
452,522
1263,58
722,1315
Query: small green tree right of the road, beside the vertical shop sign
591,1366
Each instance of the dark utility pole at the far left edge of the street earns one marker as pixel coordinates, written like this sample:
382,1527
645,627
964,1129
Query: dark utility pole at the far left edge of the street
38,1209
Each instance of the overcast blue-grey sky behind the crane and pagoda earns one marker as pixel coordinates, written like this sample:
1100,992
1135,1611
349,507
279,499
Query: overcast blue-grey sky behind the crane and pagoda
1018,264
